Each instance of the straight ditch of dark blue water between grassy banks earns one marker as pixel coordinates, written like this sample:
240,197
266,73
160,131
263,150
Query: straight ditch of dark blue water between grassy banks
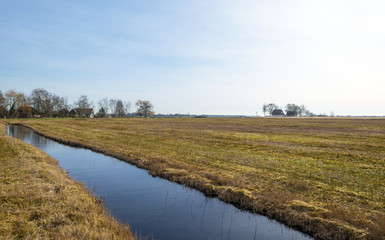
153,206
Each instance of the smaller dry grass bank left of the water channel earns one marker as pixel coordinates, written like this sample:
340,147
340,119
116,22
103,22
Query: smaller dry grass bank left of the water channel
39,201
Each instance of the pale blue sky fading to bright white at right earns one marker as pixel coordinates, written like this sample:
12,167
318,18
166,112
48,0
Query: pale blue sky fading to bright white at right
200,56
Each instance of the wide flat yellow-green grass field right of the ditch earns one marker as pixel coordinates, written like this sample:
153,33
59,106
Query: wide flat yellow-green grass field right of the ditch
325,177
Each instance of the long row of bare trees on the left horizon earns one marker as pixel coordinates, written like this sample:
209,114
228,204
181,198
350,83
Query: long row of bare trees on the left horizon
45,104
